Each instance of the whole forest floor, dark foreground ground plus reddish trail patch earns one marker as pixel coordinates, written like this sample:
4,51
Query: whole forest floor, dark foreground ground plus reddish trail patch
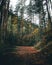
24,55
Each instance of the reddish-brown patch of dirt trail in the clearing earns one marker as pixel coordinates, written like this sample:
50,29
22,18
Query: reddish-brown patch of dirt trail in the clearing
21,50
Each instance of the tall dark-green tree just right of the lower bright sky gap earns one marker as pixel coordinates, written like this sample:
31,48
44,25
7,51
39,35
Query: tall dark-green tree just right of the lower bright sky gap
38,8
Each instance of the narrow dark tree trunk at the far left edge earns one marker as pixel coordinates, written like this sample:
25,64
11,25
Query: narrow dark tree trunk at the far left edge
2,19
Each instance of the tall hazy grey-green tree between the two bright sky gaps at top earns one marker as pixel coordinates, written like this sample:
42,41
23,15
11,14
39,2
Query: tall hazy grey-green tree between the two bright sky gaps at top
20,9
